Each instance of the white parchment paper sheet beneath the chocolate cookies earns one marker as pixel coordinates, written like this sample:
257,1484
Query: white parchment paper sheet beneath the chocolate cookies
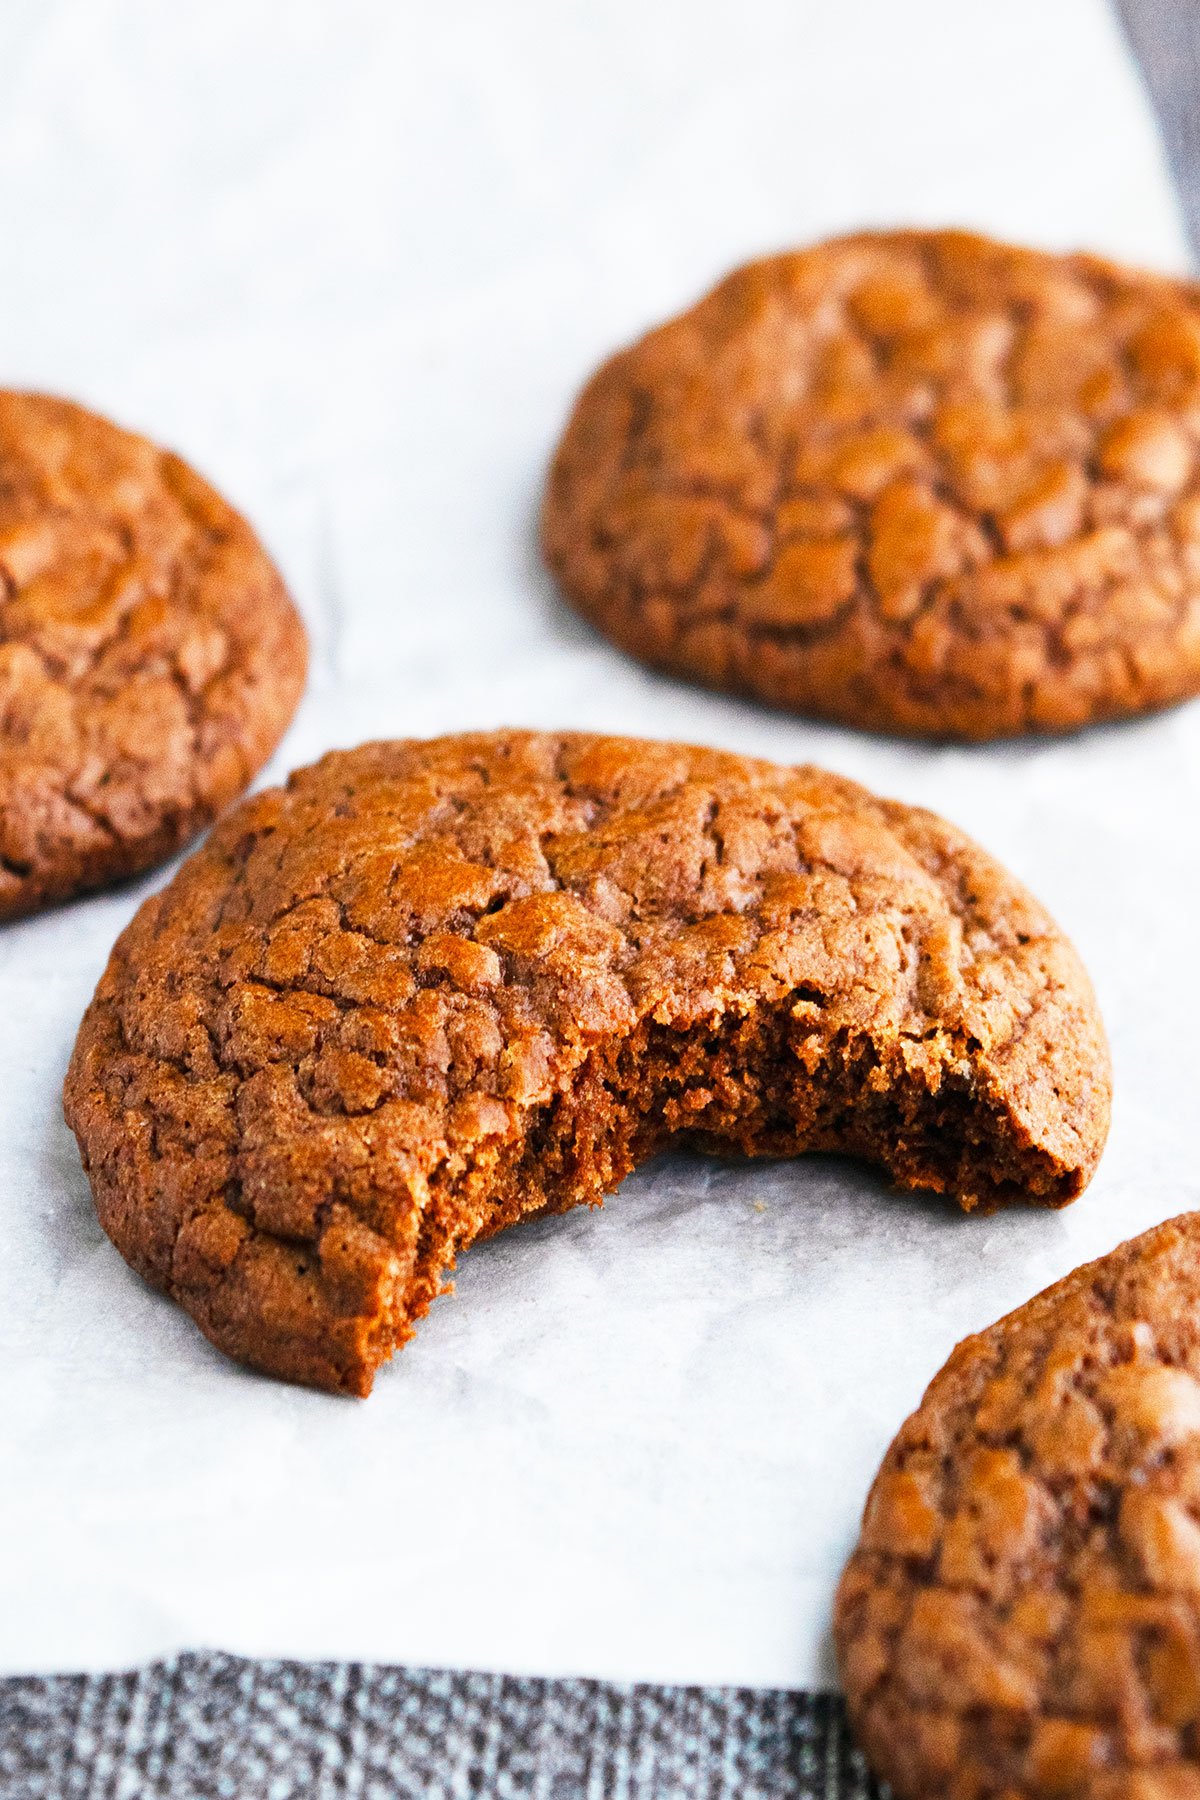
355,262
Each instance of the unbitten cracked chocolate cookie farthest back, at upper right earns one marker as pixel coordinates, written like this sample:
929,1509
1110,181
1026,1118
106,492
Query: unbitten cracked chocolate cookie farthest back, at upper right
913,481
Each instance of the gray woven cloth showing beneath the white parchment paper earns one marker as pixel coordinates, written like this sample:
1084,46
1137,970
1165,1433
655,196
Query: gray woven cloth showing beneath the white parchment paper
220,1729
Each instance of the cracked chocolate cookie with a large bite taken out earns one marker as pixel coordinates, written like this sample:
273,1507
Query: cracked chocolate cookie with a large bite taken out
431,989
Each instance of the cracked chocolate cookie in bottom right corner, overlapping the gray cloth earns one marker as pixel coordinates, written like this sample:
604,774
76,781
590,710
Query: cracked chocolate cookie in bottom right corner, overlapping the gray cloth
1023,1612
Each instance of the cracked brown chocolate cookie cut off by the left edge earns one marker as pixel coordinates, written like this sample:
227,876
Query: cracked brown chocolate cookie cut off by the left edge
150,658
